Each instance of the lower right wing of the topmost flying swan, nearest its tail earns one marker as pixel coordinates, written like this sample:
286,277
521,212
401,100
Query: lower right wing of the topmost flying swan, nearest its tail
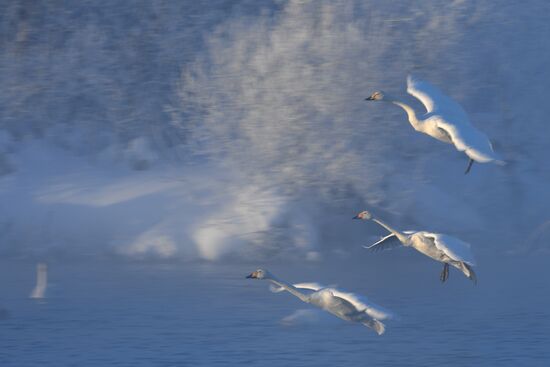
467,138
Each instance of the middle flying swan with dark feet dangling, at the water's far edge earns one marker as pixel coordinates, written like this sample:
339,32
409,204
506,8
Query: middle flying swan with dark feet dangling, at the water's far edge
440,247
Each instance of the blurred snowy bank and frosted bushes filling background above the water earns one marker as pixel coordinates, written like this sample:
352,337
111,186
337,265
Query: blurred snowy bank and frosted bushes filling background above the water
239,130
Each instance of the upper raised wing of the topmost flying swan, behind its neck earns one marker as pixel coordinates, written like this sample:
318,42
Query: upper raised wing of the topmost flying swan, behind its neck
432,98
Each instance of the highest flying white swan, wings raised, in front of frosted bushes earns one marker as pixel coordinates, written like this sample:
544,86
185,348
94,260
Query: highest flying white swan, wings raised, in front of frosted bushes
444,120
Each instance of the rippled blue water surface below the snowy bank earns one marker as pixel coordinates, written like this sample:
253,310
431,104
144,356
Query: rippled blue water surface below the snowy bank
207,315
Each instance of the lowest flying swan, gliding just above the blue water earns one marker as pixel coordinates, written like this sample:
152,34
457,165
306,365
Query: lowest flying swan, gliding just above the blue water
347,306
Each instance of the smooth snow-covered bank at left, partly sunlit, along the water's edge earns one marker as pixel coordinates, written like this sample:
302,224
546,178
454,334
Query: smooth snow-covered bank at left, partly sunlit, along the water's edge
58,204
